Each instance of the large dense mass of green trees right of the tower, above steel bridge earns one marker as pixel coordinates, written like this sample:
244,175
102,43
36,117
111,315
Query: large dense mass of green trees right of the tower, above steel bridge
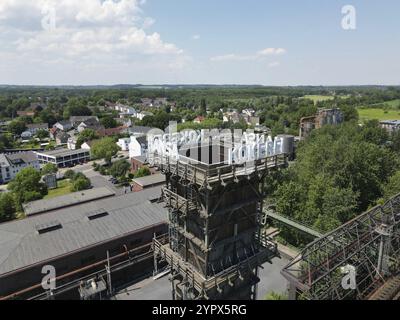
340,172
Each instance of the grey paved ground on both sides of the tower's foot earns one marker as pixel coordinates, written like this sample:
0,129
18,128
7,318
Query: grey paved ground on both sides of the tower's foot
149,289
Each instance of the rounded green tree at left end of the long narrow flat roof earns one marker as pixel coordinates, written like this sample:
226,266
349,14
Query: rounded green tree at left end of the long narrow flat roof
27,186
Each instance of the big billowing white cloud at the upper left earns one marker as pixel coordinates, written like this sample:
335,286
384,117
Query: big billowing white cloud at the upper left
99,31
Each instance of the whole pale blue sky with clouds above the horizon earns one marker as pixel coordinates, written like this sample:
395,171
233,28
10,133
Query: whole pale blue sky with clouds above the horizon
267,42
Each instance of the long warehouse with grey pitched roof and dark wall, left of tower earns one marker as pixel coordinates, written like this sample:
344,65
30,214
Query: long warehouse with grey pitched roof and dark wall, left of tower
77,239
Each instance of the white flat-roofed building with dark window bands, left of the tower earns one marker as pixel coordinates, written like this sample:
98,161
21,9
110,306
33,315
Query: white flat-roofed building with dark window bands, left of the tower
64,157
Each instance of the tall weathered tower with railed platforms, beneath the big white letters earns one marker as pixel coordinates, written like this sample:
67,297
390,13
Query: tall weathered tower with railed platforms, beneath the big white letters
216,245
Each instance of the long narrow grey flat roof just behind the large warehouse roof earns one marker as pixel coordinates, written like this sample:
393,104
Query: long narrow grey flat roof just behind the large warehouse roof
40,206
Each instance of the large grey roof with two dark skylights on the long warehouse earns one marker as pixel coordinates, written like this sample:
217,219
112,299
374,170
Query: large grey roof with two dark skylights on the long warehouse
21,245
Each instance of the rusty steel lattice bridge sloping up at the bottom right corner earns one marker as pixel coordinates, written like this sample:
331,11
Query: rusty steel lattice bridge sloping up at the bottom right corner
370,244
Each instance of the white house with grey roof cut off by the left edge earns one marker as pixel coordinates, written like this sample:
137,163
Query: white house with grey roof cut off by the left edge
12,164
